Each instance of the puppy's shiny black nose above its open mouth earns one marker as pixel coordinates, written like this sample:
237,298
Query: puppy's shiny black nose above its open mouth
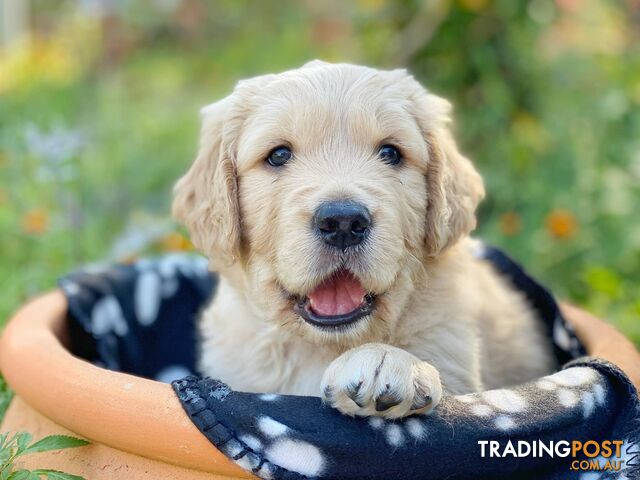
342,224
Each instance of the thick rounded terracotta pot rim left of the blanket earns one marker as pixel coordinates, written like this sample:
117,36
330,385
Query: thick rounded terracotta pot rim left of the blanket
129,413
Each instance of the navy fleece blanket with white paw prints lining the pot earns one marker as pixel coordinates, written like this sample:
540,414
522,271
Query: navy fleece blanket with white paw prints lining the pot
140,318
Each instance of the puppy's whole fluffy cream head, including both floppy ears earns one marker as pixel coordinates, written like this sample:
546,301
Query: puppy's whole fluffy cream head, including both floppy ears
322,192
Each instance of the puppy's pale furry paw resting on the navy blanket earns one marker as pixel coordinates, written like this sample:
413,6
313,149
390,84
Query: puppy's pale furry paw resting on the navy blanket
381,380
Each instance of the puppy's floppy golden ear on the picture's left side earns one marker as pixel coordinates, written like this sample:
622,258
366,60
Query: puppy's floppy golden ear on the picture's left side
206,197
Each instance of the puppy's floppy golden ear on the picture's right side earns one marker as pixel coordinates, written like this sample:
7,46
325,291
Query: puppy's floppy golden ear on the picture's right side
454,187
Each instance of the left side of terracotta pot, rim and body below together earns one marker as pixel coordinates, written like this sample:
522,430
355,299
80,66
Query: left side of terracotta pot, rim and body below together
136,427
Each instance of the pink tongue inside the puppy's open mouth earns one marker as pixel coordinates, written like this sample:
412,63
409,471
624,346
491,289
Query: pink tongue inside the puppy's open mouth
338,295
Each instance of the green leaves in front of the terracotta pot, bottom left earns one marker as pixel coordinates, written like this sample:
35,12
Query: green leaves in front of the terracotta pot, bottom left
14,446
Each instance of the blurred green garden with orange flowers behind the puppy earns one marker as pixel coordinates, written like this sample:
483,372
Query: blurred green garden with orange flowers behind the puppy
99,109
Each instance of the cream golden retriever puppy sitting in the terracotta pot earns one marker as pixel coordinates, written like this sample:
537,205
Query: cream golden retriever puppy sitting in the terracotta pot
336,207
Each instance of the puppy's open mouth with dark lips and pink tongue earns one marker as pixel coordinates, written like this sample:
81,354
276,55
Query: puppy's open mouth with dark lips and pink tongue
338,301
